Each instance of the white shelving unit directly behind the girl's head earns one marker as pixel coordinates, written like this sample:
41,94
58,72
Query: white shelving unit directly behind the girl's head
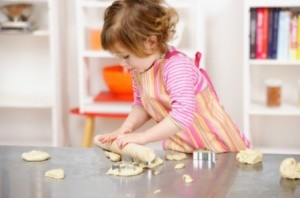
90,62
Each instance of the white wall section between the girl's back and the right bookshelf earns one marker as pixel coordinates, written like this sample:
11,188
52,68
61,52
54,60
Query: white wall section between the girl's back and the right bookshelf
224,44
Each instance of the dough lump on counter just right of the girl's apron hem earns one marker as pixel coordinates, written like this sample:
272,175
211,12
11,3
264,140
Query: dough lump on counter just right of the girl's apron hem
249,156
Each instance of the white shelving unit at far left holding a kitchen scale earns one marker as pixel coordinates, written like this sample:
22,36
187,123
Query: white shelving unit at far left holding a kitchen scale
30,79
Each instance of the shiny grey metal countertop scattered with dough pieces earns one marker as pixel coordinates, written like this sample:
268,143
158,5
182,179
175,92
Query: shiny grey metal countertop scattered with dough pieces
86,177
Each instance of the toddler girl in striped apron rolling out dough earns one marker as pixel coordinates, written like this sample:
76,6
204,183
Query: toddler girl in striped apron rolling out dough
168,86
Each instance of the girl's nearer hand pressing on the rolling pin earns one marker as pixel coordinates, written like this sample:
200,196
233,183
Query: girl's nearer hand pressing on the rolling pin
124,139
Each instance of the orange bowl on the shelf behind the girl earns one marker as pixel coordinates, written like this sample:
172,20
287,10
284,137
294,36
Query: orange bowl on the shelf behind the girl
117,80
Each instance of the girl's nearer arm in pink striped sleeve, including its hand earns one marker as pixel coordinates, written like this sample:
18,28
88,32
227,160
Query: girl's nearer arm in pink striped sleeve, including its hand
180,78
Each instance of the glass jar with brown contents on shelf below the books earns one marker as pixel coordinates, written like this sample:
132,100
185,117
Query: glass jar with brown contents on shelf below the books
273,91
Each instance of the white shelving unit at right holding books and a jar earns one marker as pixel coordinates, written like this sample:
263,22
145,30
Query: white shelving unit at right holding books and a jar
271,130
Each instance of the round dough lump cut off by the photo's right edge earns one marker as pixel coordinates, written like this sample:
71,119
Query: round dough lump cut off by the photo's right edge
290,169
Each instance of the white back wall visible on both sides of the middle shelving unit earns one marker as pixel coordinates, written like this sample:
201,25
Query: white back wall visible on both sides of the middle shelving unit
223,59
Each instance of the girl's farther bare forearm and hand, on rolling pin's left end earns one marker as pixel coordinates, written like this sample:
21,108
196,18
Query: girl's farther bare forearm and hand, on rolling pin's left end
136,118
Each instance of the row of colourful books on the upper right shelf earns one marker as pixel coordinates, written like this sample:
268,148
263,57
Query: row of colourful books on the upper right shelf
274,33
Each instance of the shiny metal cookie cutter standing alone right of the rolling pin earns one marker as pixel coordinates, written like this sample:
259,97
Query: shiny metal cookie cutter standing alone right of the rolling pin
204,159
